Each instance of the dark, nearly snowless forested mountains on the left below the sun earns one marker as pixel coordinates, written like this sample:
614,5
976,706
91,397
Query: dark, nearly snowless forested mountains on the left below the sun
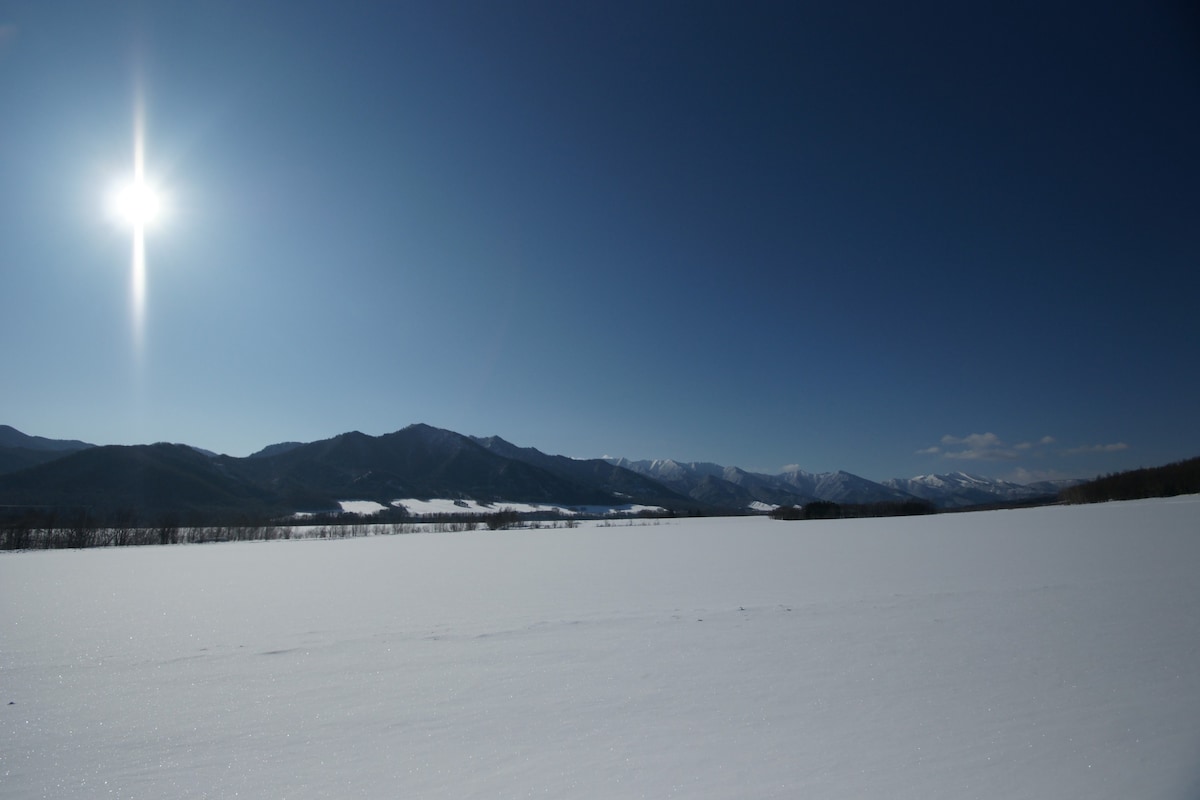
417,462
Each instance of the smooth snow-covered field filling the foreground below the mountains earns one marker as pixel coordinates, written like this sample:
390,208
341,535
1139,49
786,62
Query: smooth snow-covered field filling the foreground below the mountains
1048,653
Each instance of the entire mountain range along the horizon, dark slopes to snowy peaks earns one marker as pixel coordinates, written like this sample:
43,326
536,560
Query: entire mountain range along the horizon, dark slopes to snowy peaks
423,462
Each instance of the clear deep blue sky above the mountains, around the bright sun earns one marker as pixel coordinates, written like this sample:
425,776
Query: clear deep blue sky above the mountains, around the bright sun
886,238
